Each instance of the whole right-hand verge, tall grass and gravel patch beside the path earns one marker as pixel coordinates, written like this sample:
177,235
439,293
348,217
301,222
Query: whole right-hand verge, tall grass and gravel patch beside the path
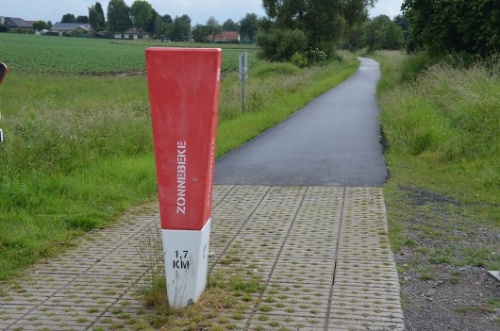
441,124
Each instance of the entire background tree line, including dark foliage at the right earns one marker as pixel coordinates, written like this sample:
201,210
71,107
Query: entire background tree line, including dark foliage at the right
309,31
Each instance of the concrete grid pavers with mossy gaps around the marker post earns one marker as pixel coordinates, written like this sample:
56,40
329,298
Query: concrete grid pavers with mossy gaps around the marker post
322,254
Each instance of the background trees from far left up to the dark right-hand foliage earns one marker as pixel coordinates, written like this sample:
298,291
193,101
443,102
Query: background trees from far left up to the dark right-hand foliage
308,28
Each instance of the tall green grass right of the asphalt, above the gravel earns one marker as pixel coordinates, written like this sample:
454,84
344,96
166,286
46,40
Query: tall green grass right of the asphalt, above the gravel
443,127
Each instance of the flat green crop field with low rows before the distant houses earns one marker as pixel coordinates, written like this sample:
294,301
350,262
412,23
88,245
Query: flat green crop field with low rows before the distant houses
31,54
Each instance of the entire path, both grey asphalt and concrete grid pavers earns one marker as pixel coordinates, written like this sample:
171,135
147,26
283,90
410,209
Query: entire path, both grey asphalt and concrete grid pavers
300,208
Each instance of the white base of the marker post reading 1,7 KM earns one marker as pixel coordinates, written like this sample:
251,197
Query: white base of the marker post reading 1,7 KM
186,264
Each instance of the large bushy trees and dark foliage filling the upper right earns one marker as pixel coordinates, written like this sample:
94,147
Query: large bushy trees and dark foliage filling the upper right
309,31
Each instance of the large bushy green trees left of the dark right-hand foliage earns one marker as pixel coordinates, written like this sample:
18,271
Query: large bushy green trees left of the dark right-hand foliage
311,30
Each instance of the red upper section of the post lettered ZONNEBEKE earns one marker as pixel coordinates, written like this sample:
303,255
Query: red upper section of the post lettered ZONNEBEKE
184,97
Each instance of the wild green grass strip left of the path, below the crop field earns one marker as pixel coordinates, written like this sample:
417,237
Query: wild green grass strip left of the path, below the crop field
78,149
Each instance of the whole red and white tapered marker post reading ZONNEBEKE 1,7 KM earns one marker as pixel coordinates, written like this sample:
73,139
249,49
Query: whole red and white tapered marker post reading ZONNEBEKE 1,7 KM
184,97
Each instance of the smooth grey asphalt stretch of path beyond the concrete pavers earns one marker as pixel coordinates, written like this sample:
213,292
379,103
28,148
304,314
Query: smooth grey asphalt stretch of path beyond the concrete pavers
334,140
